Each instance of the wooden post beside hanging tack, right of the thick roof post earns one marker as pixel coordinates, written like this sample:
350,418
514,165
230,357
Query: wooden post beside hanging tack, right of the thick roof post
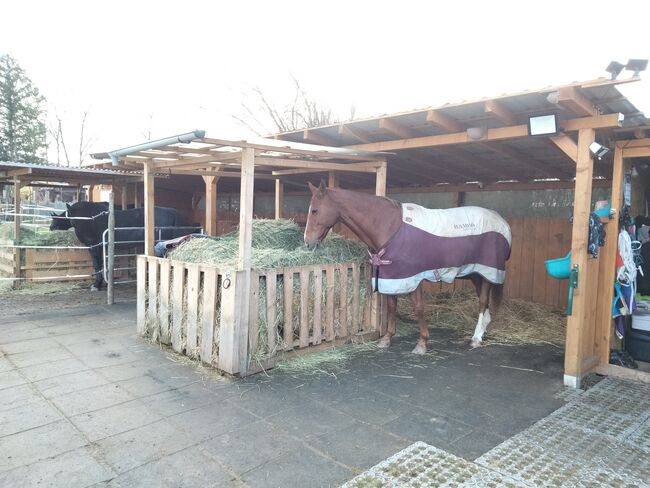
608,256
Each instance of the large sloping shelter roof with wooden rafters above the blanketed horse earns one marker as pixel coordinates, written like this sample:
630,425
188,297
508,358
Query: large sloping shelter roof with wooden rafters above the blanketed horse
433,145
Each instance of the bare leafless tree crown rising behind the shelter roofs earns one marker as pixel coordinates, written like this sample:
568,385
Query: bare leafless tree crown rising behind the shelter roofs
302,112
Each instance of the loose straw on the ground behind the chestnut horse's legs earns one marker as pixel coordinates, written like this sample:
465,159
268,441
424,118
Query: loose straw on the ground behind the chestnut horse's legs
516,322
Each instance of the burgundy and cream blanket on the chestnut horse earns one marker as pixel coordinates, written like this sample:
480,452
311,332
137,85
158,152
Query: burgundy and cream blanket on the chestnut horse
442,245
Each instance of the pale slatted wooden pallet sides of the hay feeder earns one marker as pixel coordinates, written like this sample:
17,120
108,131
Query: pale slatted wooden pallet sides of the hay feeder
193,308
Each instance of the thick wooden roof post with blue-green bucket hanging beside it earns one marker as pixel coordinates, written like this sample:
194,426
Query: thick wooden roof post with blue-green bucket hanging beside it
576,323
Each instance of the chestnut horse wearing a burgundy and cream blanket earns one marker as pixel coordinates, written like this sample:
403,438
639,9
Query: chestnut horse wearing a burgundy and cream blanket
408,243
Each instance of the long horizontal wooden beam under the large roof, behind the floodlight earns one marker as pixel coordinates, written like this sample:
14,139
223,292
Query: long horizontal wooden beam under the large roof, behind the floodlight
500,133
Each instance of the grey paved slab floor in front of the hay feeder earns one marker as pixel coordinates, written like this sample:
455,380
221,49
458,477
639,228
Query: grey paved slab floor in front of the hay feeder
85,402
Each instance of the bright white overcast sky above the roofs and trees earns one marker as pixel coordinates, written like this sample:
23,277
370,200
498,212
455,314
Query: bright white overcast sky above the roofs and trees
159,68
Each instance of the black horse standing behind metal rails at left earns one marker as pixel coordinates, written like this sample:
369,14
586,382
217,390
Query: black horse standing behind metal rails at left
90,220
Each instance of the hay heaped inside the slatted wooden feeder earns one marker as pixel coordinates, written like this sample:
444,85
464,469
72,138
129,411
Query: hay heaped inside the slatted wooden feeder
276,244
